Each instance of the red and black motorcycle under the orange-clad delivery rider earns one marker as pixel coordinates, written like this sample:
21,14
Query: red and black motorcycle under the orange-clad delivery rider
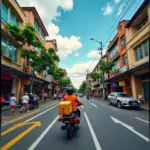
71,123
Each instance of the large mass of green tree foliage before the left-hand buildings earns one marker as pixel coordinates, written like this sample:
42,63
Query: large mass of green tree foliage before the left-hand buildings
46,59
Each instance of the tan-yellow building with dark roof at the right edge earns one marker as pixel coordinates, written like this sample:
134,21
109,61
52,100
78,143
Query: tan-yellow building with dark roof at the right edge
138,35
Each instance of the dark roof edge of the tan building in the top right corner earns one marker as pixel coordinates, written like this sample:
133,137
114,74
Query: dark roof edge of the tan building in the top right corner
138,12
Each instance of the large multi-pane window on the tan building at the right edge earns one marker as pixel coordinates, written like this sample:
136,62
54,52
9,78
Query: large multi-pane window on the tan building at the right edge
142,50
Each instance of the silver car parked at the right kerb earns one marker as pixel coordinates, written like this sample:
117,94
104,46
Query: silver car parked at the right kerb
122,100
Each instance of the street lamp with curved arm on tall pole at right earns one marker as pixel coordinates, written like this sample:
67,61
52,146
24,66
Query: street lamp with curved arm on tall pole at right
100,52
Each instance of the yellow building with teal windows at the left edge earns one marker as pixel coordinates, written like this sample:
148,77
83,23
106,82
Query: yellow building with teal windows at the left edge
11,62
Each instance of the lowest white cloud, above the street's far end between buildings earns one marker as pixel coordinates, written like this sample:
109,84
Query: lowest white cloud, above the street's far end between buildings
77,72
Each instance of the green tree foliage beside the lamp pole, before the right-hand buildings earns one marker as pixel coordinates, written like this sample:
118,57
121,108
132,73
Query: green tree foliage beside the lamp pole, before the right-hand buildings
106,66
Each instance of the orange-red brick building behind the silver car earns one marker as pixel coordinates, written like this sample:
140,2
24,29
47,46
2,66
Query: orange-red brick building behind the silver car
119,77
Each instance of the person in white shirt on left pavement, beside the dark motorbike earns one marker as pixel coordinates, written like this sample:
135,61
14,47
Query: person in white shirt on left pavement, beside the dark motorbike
25,102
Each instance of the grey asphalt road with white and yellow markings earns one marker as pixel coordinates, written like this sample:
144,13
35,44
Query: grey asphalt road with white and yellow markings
102,127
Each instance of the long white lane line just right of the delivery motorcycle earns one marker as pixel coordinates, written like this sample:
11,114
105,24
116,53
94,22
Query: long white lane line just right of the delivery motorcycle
97,145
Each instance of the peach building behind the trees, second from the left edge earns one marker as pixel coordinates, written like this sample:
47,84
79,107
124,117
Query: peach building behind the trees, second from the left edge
37,83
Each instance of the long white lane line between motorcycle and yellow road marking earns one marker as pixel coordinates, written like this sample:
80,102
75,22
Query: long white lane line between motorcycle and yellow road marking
33,146
